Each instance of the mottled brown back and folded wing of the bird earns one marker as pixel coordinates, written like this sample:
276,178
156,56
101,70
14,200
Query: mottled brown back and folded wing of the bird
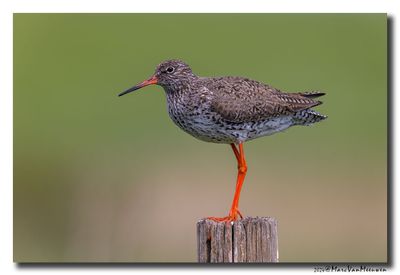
239,99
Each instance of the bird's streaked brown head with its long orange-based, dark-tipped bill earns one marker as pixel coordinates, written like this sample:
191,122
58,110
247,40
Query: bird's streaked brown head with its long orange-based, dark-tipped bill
168,74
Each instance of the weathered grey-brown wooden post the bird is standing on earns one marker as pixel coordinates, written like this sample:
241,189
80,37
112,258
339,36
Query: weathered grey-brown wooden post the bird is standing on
251,240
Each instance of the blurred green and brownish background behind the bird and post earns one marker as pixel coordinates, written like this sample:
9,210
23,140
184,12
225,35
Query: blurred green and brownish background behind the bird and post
103,178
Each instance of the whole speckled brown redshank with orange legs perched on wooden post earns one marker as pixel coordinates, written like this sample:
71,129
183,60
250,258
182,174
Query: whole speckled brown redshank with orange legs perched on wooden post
230,110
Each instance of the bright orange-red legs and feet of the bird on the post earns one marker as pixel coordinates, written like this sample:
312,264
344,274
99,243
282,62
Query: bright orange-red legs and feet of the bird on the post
234,213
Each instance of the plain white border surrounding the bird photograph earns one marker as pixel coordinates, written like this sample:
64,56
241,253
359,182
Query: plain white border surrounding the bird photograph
7,8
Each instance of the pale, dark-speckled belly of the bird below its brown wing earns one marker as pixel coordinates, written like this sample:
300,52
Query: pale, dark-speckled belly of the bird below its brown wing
217,130
